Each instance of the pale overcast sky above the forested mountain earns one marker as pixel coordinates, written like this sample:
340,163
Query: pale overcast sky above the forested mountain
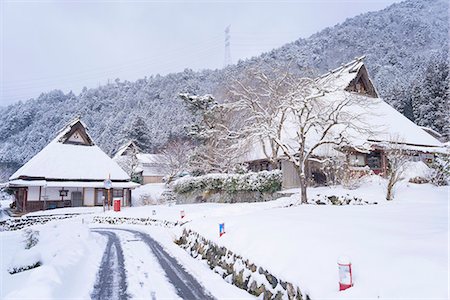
66,45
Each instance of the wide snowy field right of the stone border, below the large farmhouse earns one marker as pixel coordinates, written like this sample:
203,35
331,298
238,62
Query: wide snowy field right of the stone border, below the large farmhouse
398,249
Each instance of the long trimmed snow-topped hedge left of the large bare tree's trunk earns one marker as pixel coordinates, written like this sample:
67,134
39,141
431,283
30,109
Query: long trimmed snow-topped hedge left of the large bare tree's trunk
264,181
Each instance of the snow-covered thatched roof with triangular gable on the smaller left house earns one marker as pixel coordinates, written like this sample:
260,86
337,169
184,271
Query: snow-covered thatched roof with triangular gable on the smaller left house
71,155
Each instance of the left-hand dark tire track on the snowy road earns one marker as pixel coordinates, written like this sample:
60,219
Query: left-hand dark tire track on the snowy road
111,278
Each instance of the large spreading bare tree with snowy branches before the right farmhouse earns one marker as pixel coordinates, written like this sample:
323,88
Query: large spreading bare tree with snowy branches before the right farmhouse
285,100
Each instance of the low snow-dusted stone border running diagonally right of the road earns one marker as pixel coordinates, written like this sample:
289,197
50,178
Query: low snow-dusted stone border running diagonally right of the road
237,270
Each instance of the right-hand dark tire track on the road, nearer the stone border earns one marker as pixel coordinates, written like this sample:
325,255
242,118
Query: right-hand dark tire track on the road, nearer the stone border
186,285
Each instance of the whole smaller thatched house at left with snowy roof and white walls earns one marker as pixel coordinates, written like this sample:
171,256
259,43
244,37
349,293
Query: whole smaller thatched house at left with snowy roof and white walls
69,172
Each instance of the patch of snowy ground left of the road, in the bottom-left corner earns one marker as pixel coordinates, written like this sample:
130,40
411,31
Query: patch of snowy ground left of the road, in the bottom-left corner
69,255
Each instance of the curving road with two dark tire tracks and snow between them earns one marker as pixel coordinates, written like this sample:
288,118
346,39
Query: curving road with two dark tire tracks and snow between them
158,275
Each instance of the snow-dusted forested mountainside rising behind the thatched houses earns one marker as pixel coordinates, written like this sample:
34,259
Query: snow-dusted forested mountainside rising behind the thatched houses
406,48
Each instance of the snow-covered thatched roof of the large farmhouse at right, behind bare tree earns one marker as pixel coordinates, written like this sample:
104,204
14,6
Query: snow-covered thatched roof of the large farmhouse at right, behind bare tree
386,124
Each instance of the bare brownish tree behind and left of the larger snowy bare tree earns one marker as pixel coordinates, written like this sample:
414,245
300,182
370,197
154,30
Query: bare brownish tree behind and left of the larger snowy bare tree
260,96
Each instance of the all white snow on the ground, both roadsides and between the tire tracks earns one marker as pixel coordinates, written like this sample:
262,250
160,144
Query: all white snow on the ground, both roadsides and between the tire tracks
398,249
